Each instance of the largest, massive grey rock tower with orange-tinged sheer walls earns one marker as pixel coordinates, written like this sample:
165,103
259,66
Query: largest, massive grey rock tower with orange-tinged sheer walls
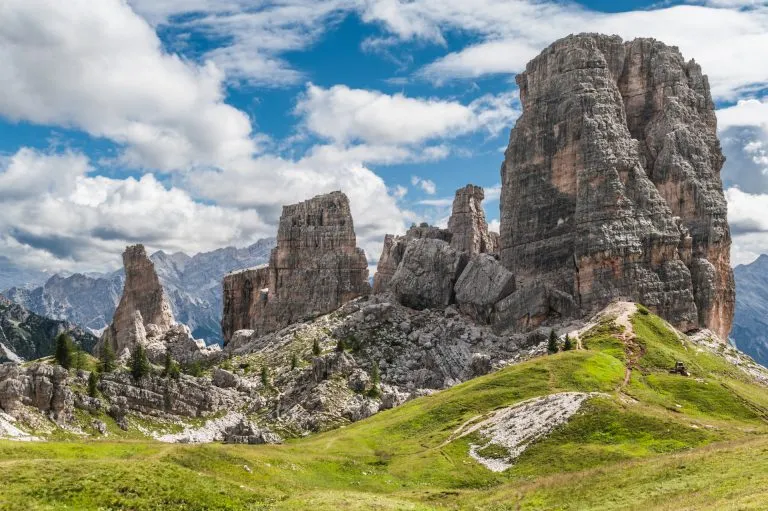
610,184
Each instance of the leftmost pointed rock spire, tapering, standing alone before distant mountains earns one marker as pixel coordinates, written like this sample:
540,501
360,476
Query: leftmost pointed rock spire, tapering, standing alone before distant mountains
142,304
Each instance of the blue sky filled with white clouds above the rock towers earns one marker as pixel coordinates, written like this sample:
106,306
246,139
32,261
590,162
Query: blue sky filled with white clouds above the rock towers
186,124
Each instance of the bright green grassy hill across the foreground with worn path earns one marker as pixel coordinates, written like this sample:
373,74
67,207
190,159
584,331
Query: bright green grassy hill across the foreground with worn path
649,440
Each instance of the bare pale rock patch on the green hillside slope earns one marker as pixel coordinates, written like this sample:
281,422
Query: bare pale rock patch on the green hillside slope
515,428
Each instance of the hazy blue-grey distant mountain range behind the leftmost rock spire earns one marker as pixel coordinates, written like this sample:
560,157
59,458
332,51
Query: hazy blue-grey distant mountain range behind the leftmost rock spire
192,283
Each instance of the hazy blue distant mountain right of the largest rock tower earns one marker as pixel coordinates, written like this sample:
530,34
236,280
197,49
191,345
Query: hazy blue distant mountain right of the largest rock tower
750,323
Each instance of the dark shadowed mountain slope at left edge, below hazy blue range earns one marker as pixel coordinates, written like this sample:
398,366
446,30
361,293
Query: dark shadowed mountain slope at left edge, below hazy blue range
25,335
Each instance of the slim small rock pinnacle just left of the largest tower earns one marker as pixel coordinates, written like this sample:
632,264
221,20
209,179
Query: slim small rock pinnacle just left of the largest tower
467,223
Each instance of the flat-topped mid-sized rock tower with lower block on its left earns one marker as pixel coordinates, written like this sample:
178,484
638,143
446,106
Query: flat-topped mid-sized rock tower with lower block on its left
315,268
